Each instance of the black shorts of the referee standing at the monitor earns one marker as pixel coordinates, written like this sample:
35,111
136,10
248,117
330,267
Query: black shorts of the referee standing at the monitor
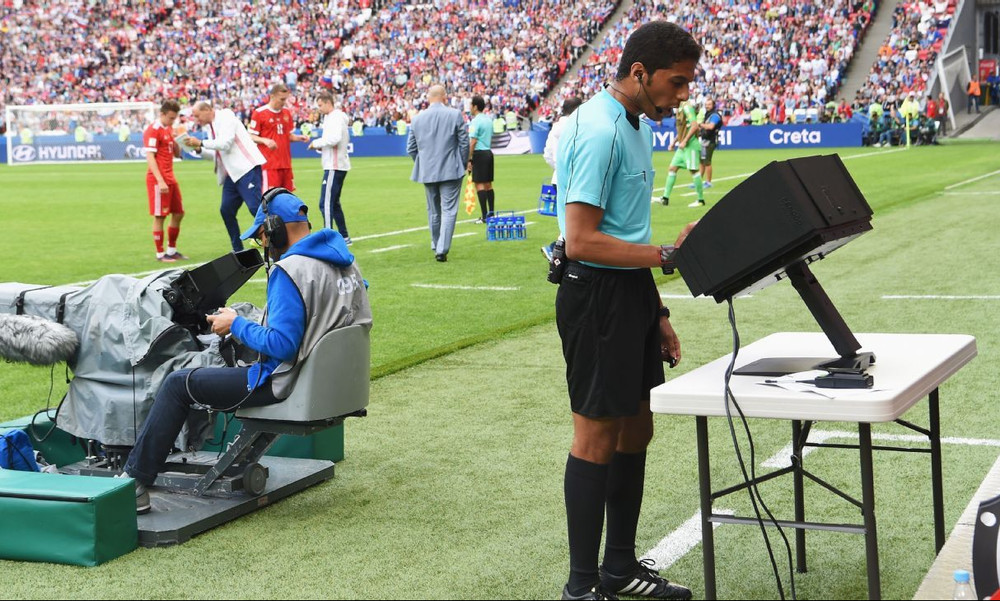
610,330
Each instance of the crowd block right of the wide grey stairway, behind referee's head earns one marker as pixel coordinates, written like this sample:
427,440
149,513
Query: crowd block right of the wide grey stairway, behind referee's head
767,54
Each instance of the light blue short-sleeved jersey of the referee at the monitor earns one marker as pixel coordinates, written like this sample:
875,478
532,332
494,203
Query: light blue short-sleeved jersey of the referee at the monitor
606,162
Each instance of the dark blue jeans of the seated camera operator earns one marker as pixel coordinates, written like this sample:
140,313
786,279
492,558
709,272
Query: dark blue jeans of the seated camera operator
222,388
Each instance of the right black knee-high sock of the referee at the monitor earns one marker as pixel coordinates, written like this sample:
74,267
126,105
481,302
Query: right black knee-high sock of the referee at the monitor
626,479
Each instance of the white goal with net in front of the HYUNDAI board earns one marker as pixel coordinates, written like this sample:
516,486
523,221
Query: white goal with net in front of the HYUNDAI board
77,133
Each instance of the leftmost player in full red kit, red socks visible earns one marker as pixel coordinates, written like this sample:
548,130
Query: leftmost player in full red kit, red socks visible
164,193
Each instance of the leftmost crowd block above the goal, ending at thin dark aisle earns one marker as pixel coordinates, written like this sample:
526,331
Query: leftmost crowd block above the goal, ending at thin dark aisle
228,51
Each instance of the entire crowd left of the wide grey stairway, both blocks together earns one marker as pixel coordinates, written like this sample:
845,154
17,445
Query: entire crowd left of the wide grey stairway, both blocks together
380,56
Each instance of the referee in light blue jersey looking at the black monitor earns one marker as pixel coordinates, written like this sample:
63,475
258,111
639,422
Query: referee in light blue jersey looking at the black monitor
615,331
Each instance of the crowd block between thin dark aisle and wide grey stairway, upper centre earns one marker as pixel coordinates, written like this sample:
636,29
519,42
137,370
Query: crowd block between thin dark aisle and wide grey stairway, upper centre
510,52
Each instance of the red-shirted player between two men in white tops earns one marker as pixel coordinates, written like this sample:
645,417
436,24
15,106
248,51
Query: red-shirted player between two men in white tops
271,128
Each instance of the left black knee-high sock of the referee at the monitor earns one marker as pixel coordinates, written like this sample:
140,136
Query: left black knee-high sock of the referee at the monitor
585,488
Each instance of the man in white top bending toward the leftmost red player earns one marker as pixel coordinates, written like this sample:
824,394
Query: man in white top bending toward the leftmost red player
237,164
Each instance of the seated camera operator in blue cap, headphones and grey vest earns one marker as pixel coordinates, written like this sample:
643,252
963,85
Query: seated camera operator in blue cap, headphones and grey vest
314,287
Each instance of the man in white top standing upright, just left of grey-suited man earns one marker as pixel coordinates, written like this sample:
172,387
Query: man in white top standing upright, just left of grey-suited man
336,162
